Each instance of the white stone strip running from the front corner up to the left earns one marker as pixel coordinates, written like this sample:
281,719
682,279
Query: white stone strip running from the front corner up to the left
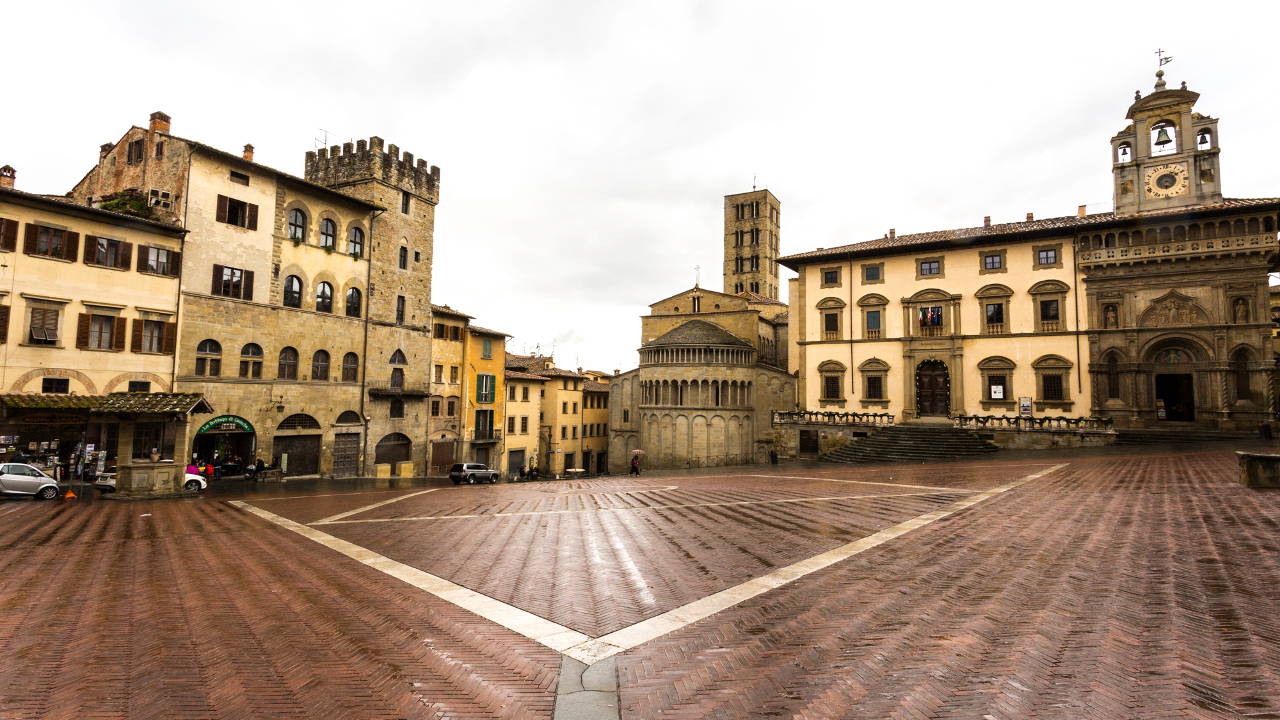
538,630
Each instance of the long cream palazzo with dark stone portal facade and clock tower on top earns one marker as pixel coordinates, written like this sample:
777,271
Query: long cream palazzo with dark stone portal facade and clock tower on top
1153,315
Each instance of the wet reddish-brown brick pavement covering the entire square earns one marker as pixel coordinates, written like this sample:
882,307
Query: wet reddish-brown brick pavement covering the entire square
1123,586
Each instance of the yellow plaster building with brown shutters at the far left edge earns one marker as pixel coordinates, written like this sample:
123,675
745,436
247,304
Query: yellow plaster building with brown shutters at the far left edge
89,299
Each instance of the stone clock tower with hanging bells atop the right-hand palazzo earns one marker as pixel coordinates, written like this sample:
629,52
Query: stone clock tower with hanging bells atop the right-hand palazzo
1168,156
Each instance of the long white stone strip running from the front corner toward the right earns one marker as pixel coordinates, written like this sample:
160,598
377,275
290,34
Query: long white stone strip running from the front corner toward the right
598,649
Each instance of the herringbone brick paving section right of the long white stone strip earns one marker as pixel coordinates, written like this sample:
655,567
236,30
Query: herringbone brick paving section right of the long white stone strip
1122,587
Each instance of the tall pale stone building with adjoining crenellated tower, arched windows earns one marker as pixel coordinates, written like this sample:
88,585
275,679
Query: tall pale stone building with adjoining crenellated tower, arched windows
305,312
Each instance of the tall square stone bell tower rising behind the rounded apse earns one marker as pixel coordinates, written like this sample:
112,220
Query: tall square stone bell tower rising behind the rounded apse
752,225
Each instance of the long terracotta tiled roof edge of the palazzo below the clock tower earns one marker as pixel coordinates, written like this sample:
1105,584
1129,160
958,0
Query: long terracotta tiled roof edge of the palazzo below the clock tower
1069,222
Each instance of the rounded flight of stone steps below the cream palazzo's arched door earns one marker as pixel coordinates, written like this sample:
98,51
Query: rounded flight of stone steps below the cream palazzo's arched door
912,444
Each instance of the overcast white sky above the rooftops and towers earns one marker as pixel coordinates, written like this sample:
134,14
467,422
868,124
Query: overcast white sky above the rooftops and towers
586,148
